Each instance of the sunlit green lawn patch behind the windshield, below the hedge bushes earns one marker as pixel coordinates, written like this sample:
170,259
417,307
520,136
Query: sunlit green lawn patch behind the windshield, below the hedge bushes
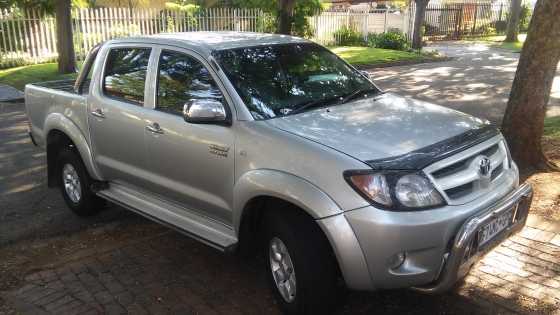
370,56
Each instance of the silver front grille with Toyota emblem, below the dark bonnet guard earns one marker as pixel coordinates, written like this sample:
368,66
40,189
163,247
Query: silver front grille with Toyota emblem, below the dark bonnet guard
462,177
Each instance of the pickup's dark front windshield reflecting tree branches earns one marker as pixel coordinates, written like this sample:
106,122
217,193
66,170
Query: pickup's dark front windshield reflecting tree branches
277,80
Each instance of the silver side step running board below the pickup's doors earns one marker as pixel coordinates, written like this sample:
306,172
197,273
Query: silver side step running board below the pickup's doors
187,222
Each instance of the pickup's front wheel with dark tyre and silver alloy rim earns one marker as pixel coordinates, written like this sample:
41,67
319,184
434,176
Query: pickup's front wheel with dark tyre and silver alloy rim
301,268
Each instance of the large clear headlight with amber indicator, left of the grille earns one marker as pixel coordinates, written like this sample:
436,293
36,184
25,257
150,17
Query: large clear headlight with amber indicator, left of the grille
395,190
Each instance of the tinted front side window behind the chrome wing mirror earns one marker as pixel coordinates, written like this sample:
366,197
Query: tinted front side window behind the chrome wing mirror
182,78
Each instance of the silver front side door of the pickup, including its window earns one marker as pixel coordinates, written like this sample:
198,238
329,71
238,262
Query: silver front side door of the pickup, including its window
191,164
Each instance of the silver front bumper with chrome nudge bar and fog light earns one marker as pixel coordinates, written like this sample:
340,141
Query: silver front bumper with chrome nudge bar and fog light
434,241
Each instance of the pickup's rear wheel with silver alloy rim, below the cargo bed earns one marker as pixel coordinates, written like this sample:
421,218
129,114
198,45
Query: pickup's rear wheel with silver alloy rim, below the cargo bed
75,185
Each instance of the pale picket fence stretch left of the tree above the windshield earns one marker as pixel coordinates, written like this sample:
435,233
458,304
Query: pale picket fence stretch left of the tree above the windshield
30,36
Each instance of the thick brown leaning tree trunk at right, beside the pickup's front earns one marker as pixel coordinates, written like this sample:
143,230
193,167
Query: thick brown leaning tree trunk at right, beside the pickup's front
524,118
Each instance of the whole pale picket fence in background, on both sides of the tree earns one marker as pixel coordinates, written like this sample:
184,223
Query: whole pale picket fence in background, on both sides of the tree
30,36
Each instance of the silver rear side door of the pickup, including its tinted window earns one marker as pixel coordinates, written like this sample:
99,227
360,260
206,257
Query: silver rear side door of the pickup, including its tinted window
116,114
